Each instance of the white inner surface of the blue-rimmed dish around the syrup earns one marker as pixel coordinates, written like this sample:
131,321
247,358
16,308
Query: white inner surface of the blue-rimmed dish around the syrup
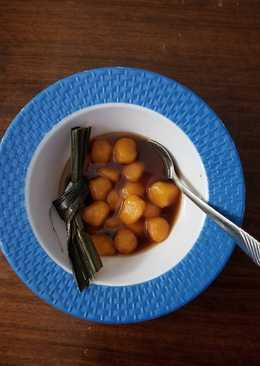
45,171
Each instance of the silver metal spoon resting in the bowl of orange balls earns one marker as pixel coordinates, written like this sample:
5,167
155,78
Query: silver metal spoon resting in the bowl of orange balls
246,242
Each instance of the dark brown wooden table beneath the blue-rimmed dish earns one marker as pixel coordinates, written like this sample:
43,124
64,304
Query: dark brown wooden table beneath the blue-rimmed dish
211,46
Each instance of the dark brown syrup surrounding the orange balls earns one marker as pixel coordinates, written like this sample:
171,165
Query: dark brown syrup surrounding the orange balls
154,170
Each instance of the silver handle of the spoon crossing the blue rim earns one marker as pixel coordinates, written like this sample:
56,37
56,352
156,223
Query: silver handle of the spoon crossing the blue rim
246,242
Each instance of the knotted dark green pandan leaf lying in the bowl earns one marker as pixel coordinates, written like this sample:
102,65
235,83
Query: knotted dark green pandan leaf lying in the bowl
82,252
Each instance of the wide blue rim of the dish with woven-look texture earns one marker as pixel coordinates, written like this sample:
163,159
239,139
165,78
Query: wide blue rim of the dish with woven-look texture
168,292
